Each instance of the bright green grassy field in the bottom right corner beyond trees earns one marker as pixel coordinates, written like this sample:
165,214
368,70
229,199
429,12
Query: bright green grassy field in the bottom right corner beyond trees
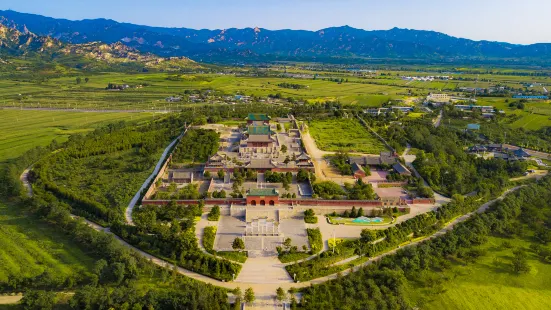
490,283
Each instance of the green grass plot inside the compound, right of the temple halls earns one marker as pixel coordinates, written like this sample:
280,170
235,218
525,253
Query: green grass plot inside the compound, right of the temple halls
344,135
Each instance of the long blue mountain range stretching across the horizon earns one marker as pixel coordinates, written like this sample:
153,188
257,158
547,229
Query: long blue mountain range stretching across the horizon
263,44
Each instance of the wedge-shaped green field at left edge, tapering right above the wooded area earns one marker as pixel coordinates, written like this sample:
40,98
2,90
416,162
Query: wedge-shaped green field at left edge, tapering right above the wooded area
23,130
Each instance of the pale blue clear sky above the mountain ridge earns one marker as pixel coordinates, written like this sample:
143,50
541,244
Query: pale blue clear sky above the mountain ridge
513,21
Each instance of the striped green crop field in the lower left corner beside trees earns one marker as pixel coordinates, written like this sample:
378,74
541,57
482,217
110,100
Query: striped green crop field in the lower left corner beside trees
29,248
